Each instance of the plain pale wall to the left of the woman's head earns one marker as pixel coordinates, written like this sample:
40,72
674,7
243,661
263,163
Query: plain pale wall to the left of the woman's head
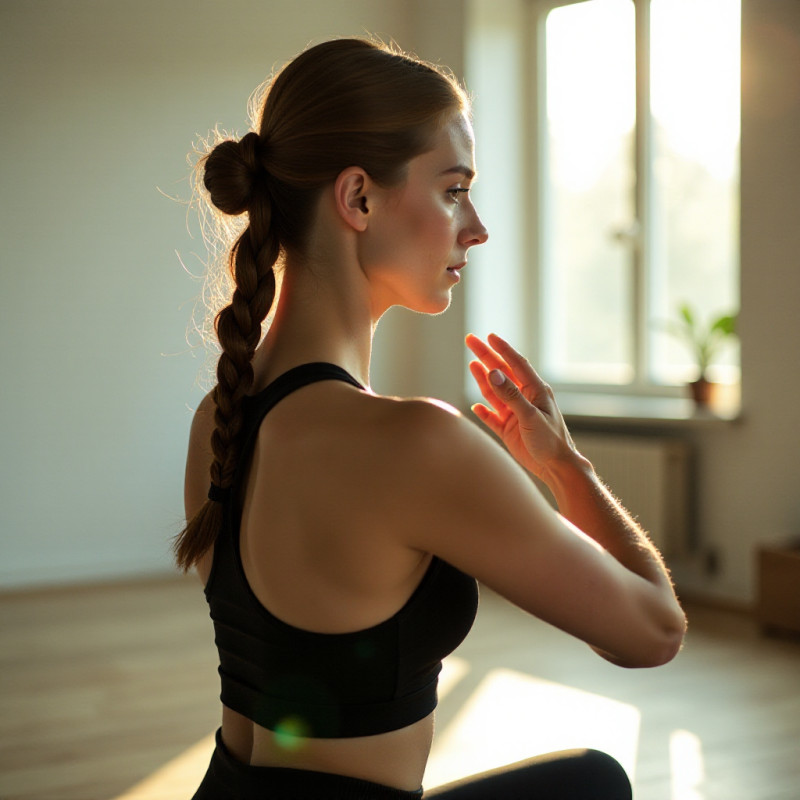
101,100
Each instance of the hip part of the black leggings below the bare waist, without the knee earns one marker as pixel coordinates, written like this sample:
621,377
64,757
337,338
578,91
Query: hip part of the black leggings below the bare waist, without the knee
227,777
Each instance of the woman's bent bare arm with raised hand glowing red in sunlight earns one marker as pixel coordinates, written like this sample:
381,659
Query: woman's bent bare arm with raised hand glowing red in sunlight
589,570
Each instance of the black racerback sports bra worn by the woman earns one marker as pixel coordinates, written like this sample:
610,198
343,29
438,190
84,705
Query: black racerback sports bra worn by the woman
329,685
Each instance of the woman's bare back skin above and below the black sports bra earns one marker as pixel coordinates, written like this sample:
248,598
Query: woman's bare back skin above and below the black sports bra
321,556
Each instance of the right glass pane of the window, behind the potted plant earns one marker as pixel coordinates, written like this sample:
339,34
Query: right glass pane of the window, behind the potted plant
695,67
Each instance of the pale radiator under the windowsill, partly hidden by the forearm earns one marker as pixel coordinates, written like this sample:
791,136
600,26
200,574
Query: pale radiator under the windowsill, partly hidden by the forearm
651,476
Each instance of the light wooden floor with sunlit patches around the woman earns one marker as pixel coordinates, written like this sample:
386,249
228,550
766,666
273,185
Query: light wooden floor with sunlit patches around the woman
109,693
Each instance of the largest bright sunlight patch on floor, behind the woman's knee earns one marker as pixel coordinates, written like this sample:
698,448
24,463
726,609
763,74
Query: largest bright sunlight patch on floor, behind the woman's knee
512,716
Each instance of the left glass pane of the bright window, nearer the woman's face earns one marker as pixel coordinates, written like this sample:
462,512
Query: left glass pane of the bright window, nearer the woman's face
586,275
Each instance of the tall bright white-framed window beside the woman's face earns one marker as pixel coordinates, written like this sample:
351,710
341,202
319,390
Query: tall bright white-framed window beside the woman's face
631,138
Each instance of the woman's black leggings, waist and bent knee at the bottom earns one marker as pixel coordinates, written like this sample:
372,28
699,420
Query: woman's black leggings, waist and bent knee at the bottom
568,775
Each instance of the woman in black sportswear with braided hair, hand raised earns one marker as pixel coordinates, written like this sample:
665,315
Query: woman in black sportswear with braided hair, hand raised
339,534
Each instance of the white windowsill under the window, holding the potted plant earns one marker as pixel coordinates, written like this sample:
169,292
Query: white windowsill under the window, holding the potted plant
637,411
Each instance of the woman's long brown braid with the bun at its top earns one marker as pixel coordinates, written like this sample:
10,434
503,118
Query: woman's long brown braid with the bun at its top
238,325
